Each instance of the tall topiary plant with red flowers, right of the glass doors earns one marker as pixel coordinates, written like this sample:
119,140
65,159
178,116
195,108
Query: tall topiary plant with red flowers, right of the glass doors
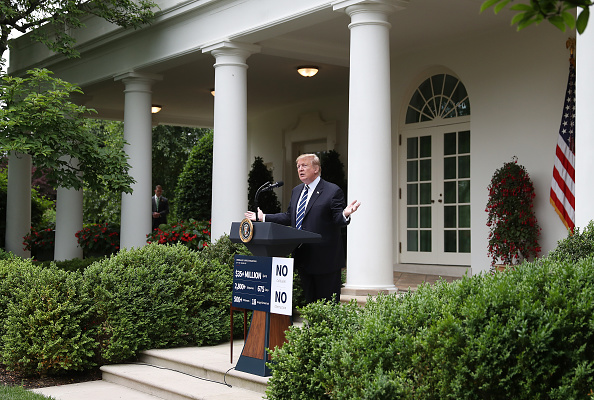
513,229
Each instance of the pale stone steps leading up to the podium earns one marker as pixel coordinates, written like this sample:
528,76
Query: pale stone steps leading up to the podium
192,373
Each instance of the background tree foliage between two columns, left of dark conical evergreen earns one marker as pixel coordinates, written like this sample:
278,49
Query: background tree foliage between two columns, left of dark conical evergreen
171,147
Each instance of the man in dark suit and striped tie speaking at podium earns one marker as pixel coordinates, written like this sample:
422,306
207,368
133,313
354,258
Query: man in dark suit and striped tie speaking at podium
316,206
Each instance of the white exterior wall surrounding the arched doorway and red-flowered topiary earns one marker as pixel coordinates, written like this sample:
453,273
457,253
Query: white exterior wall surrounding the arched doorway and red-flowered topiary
516,84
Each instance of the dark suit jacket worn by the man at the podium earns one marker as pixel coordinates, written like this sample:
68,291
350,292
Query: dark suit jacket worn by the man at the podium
324,216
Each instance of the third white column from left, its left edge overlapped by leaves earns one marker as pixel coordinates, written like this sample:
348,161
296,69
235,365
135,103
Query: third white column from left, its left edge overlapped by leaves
136,207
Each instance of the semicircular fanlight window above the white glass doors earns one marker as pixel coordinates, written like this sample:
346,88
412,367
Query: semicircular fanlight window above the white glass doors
439,97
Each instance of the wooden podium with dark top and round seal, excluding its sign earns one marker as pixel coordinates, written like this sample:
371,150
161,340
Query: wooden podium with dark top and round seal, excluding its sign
267,330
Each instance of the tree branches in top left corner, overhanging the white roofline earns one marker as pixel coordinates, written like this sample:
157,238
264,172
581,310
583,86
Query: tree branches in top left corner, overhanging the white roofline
52,20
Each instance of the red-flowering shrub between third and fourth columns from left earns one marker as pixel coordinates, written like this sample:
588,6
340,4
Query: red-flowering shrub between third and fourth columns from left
192,234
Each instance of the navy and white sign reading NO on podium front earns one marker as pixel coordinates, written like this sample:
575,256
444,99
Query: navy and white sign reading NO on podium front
263,284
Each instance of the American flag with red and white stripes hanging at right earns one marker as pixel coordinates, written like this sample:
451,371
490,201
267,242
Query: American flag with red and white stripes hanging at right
563,184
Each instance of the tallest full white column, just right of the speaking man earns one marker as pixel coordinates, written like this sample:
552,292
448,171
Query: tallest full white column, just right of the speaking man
370,244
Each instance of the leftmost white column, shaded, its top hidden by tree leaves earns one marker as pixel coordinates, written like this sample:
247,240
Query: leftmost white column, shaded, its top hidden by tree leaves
18,203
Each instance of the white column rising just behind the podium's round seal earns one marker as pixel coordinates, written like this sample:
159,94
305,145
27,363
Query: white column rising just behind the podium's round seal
230,164
